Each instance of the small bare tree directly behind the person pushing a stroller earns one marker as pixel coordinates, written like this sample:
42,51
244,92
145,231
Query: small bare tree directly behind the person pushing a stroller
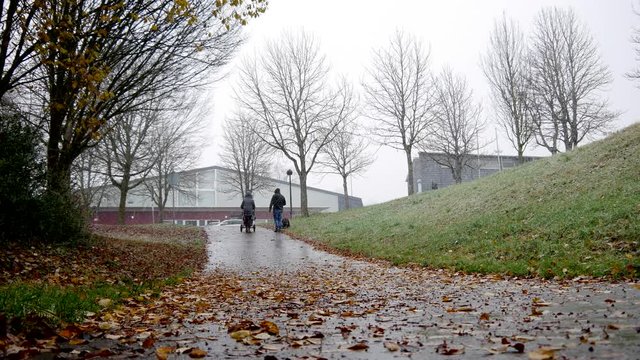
247,156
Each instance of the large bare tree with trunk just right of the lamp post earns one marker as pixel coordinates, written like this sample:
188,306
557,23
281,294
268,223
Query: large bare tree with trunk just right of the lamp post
294,109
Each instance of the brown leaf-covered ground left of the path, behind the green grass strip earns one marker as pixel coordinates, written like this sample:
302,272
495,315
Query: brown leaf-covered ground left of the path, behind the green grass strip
114,255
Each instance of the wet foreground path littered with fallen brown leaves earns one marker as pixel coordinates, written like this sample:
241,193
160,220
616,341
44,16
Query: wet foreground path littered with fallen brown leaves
355,309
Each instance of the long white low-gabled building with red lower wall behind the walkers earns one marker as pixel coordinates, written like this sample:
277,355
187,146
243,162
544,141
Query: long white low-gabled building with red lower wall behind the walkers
204,197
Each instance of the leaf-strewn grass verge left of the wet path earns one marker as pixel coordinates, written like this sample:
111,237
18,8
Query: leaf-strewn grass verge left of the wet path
42,286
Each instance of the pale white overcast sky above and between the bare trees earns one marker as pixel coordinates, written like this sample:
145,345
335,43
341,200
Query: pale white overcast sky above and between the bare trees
456,31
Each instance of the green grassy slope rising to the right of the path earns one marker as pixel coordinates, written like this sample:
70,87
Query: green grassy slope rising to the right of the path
572,214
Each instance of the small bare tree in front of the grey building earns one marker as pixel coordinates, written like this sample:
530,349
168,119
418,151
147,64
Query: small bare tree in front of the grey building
457,124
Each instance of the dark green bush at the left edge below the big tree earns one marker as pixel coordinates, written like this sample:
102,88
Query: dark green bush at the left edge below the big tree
27,211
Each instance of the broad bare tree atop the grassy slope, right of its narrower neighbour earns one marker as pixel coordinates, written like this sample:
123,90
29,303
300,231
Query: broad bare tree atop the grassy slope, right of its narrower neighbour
567,79
